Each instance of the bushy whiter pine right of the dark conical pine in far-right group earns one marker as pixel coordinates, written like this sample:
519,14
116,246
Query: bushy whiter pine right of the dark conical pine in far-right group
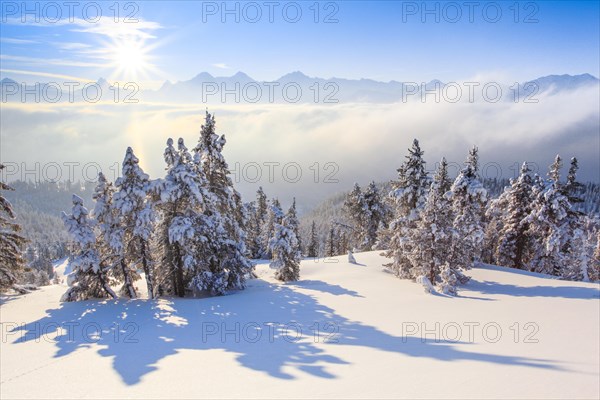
549,224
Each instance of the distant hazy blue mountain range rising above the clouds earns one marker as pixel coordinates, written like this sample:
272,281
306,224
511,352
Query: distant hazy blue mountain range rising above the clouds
297,87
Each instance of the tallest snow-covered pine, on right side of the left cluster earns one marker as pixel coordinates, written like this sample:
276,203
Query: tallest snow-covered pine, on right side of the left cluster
231,249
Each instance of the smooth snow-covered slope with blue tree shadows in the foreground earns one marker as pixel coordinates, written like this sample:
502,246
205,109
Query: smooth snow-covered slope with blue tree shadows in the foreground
508,335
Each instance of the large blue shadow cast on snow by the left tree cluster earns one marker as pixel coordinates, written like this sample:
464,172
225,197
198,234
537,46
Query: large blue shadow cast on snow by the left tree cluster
270,328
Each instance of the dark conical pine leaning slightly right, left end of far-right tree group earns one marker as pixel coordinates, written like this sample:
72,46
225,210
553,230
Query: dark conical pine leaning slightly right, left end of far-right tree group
514,241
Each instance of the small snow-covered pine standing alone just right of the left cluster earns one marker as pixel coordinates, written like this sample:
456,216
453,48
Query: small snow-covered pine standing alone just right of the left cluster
286,256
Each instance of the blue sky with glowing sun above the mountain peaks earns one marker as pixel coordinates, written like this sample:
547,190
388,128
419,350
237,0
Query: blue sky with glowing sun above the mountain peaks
377,40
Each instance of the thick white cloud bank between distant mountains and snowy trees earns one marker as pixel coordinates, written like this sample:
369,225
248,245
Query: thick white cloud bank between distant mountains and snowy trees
365,141
